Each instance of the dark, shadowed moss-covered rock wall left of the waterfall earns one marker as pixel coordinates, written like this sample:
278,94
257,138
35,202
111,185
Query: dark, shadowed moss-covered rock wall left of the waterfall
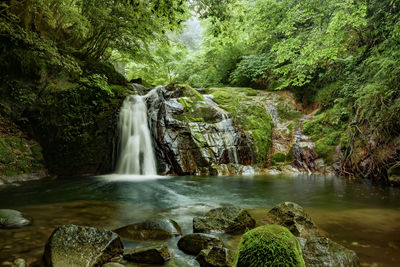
76,126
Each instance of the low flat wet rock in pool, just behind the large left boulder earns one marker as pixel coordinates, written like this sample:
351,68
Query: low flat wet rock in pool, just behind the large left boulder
156,229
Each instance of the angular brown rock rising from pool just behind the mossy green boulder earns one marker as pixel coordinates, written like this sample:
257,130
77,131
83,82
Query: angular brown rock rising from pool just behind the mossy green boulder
293,217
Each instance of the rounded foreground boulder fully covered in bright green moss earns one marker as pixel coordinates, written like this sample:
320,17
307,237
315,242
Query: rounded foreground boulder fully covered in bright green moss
269,245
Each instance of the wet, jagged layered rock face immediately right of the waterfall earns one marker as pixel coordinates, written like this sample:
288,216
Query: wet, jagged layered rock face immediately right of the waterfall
193,136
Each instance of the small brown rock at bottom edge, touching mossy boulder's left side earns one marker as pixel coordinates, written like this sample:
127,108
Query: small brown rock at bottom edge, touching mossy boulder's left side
215,257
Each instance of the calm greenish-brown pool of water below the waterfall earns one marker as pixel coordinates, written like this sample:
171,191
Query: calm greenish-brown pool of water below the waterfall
356,214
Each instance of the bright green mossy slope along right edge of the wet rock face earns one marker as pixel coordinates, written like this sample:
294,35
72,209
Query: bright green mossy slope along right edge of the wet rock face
248,115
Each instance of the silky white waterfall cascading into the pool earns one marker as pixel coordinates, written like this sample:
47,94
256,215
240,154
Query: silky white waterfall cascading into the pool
137,155
